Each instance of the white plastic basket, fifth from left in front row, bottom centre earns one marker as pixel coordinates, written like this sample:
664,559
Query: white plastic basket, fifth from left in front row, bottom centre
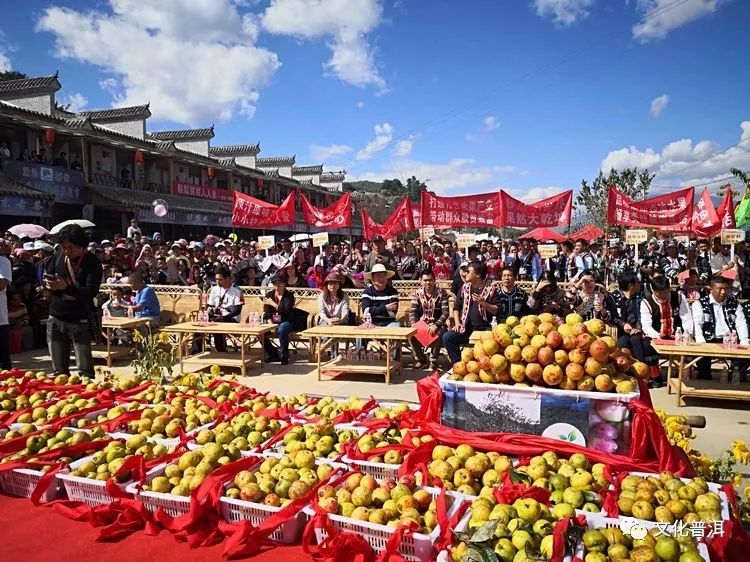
417,546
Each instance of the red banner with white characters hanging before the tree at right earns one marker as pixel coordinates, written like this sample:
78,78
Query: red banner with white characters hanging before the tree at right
670,212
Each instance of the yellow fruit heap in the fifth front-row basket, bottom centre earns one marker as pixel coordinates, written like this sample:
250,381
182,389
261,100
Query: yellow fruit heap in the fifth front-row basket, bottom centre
385,502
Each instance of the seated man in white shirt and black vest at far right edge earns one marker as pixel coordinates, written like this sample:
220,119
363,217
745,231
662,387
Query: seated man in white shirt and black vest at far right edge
715,315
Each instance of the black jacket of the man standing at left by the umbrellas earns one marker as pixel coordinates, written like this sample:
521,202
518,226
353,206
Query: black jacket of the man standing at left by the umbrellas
75,302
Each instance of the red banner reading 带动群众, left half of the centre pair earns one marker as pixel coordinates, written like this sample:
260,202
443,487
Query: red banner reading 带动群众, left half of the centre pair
467,210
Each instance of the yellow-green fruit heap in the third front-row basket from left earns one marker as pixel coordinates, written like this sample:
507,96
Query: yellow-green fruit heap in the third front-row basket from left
182,477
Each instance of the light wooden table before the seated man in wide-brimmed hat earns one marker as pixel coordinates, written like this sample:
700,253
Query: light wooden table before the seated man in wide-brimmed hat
388,335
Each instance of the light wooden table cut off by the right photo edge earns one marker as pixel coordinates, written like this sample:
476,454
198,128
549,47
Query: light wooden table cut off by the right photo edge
686,356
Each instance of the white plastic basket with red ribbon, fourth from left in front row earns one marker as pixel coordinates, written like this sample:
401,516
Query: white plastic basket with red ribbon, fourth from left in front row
234,510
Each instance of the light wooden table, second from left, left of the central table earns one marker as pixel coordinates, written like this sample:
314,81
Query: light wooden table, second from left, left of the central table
244,334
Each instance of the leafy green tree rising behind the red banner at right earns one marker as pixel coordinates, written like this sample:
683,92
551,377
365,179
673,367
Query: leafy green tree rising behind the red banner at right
591,201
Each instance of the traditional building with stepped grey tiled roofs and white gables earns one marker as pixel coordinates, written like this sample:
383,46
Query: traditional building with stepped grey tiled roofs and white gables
106,165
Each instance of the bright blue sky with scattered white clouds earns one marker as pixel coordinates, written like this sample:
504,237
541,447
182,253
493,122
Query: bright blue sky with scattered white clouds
531,96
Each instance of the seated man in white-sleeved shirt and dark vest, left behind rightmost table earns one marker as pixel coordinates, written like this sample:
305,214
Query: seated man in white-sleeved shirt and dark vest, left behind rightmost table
662,313
